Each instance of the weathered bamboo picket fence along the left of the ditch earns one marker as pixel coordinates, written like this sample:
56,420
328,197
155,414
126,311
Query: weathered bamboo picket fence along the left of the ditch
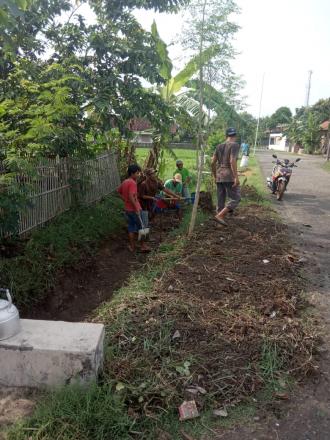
58,183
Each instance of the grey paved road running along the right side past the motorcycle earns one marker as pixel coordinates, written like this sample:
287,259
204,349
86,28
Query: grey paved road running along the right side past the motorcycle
307,202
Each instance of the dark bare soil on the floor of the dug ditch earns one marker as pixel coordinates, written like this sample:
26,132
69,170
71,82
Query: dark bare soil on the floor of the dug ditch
81,289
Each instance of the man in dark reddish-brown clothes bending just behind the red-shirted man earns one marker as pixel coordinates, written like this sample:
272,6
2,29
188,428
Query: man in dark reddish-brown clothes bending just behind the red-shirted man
147,191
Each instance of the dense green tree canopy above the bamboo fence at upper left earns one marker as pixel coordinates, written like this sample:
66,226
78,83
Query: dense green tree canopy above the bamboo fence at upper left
89,83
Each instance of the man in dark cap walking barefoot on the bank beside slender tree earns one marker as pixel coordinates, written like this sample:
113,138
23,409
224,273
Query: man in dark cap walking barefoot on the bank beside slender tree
224,170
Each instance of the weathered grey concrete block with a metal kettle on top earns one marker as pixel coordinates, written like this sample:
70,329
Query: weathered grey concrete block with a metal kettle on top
50,353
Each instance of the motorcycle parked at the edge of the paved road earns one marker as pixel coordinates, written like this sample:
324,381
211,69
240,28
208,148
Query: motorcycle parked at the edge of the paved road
281,175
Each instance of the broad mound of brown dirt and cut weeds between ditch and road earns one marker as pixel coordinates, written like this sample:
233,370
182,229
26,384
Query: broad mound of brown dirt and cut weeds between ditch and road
226,320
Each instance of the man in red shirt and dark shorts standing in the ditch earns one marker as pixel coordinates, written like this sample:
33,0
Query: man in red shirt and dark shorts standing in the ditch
128,192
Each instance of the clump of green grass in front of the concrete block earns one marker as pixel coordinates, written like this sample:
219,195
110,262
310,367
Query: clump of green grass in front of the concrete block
74,412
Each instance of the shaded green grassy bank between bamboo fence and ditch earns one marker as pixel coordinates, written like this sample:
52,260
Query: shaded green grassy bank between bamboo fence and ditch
64,242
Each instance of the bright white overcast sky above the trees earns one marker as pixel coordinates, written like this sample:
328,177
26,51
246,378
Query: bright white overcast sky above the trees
282,39
